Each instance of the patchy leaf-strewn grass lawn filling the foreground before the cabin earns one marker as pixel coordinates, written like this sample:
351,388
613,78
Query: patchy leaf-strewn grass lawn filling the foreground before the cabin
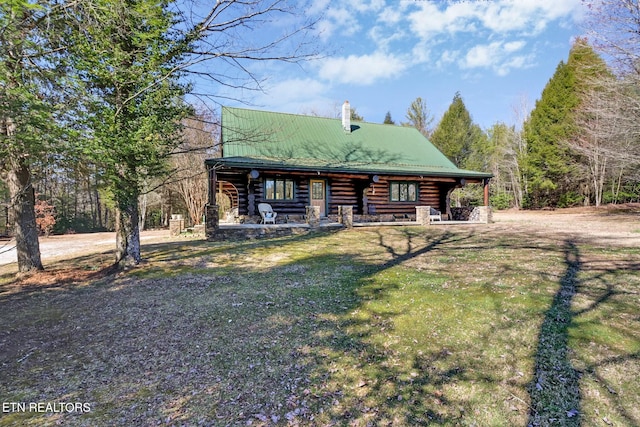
456,326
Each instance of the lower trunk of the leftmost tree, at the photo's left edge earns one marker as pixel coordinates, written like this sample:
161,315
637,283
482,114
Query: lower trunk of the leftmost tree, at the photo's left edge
23,210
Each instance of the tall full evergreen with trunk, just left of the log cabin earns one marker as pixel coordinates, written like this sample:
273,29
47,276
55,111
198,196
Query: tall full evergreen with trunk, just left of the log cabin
124,53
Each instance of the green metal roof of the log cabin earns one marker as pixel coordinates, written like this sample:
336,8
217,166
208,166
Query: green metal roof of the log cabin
252,138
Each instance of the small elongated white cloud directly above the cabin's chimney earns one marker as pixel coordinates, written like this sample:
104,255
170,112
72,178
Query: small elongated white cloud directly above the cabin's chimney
363,69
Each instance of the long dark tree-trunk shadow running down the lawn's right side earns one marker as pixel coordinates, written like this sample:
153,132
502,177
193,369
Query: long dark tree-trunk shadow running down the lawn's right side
555,389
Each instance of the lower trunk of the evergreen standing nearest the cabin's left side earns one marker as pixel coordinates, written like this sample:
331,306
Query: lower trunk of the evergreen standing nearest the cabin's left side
128,234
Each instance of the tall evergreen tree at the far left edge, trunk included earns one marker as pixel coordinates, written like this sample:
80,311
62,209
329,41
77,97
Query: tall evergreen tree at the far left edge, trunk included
30,67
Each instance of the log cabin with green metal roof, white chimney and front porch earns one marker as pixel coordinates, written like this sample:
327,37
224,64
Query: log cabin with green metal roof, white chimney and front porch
295,161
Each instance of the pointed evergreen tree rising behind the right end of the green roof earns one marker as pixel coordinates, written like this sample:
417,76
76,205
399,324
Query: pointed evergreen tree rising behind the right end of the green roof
457,136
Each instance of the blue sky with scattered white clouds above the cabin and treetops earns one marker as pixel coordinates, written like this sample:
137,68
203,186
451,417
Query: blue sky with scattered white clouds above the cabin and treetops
381,55
